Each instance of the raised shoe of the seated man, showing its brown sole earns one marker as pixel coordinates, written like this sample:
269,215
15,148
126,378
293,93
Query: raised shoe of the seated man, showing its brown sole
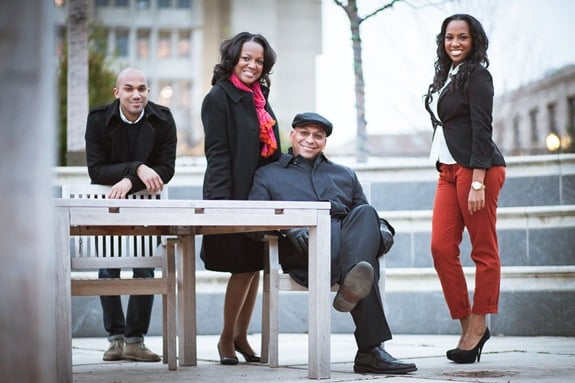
356,286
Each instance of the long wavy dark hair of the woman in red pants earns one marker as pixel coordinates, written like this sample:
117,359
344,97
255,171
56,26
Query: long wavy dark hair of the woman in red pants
477,56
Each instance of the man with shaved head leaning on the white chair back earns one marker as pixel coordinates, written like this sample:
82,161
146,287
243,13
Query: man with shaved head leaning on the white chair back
130,145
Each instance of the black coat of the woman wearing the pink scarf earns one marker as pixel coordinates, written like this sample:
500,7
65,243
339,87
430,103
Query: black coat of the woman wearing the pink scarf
232,148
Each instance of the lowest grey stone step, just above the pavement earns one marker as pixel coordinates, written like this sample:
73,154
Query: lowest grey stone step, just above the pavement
535,300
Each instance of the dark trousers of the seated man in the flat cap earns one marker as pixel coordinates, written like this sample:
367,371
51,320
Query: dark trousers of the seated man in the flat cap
354,238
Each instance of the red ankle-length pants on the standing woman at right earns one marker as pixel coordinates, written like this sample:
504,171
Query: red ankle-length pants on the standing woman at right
450,217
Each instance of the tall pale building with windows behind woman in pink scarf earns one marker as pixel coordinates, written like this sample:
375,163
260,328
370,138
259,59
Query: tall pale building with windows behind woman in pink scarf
176,42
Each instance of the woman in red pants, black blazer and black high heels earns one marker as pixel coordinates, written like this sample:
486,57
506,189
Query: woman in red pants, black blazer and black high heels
471,174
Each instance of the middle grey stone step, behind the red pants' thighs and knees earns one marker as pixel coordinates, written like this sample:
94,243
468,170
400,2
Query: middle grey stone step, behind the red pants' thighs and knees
528,236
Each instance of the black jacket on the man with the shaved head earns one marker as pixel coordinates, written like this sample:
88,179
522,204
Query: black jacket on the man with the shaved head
107,154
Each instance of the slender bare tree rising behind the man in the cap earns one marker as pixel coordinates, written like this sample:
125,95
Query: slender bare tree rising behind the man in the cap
355,21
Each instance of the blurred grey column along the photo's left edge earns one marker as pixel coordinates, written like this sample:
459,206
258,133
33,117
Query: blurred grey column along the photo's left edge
27,148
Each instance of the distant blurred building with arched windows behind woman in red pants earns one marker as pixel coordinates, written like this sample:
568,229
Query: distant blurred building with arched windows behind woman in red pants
538,118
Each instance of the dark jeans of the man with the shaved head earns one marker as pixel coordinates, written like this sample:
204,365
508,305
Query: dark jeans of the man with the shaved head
135,325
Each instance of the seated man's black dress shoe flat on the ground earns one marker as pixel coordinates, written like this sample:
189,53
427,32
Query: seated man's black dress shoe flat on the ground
378,361
